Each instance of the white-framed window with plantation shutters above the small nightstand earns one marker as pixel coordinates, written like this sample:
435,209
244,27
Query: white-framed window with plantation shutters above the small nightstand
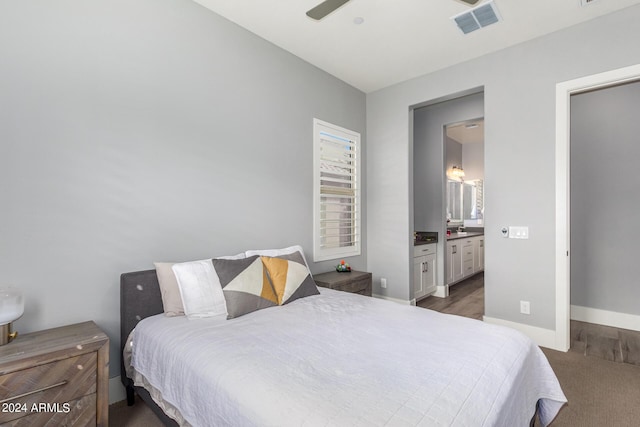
336,201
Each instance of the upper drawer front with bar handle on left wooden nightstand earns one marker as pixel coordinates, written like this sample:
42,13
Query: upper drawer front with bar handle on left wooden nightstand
57,382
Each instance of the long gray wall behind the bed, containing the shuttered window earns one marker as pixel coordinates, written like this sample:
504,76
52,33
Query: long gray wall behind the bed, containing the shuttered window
148,130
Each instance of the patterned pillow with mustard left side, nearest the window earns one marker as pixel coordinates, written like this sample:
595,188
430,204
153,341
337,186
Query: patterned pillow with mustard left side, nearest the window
290,277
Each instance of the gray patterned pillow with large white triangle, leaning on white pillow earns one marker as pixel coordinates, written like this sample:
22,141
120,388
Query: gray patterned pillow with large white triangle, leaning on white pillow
245,285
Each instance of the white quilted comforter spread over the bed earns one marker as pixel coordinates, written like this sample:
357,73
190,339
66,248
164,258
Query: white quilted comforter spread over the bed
340,359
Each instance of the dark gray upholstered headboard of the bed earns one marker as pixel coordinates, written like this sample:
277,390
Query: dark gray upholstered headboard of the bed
139,298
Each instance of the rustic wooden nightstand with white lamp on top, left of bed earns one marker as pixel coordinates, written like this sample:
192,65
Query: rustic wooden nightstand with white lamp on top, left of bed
56,377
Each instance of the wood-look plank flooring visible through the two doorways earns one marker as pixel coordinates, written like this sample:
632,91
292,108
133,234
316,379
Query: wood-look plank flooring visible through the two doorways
617,345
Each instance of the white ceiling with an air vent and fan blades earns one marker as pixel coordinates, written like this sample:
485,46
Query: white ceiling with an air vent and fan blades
399,39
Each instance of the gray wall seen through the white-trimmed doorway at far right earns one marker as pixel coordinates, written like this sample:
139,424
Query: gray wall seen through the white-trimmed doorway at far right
605,198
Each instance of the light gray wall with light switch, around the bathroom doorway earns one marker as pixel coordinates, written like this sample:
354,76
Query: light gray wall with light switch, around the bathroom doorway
519,86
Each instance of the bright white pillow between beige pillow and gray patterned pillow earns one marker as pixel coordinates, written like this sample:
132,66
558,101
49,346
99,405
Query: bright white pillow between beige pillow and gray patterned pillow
200,289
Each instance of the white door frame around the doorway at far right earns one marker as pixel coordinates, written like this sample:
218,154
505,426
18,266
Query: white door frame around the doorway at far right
564,90
